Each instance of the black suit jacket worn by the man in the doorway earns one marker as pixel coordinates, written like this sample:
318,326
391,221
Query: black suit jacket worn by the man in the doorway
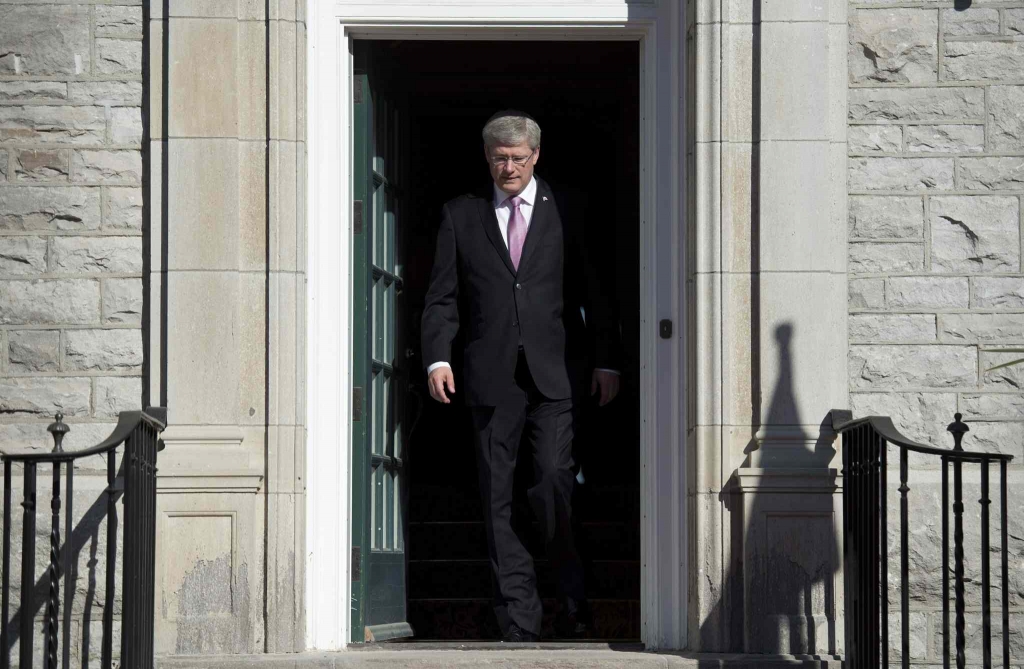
539,306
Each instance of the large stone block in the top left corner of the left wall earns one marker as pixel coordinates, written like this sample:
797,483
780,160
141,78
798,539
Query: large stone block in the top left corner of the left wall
45,40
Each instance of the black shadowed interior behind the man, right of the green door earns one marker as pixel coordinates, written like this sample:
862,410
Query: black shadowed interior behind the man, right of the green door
585,95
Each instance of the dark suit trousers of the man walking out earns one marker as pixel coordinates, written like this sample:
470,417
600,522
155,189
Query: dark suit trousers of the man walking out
544,427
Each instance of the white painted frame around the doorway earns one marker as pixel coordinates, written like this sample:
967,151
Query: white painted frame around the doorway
658,26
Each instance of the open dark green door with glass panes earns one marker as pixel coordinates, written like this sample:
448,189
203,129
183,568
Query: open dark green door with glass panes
381,384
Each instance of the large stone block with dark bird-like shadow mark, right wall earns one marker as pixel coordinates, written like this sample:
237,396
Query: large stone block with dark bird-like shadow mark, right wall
975,234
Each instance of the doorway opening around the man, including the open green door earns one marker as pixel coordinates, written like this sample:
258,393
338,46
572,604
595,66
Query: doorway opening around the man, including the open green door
417,524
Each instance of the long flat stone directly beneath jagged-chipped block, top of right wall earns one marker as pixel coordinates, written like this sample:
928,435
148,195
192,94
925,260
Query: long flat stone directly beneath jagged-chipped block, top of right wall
916,104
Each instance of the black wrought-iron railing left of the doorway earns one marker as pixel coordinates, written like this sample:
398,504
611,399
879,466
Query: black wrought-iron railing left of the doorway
137,482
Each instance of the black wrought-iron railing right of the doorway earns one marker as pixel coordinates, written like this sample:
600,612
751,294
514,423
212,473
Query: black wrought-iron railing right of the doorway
866,550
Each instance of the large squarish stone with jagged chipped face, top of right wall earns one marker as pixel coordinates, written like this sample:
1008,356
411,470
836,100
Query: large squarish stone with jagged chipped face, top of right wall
893,46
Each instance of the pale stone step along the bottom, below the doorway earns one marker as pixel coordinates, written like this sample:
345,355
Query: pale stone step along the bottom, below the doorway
496,656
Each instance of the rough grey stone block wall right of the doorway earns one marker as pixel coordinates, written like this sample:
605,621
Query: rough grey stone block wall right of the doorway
936,289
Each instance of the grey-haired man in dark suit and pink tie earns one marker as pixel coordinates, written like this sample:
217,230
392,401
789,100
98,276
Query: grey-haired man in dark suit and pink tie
533,318
